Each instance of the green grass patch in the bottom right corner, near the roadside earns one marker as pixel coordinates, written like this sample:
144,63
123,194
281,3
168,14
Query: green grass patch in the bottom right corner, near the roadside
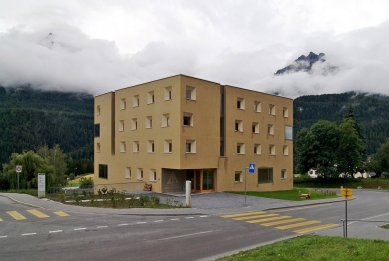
324,248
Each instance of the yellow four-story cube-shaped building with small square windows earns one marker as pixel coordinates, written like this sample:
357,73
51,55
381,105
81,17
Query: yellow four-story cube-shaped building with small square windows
182,128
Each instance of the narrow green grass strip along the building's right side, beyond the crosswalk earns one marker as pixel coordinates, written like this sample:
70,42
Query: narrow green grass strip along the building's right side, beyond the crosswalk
290,194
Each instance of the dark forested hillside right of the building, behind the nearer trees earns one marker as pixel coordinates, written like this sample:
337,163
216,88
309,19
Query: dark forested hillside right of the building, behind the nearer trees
371,113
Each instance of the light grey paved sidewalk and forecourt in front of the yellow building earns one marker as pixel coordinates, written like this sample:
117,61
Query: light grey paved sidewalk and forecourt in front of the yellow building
216,203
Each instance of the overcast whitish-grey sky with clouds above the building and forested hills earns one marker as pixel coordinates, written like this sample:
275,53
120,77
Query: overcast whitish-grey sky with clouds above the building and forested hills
99,46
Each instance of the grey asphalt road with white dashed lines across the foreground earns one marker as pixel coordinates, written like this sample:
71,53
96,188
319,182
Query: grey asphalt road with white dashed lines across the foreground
86,236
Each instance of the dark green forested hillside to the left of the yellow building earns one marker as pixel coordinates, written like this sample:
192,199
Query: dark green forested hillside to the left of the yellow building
30,118
